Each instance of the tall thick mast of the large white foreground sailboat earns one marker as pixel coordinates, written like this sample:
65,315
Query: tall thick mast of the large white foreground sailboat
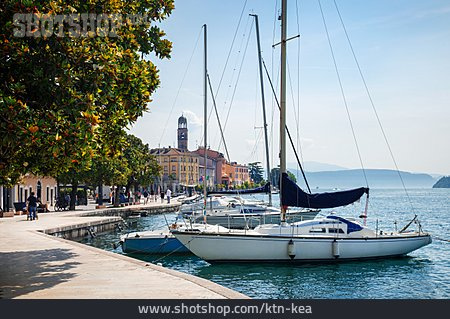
283,104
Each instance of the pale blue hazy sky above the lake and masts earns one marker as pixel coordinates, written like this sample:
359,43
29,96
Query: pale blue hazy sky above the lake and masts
403,49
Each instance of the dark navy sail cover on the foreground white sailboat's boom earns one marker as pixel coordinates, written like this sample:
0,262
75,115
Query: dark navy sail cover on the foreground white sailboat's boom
292,195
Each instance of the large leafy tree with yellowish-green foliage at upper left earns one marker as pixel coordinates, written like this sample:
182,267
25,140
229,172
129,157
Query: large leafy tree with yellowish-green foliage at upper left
61,96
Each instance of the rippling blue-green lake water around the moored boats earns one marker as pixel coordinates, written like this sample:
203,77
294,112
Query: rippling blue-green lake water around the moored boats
424,273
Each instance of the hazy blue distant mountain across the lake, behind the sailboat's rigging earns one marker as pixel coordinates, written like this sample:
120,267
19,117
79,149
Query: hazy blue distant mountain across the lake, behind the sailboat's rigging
377,178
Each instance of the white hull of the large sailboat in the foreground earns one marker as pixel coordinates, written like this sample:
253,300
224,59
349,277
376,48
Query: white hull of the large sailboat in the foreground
245,248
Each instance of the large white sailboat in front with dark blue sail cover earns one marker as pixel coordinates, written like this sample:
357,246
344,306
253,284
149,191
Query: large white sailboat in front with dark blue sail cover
331,238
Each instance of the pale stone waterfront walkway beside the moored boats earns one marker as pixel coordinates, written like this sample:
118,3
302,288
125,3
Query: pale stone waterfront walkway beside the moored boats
36,265
